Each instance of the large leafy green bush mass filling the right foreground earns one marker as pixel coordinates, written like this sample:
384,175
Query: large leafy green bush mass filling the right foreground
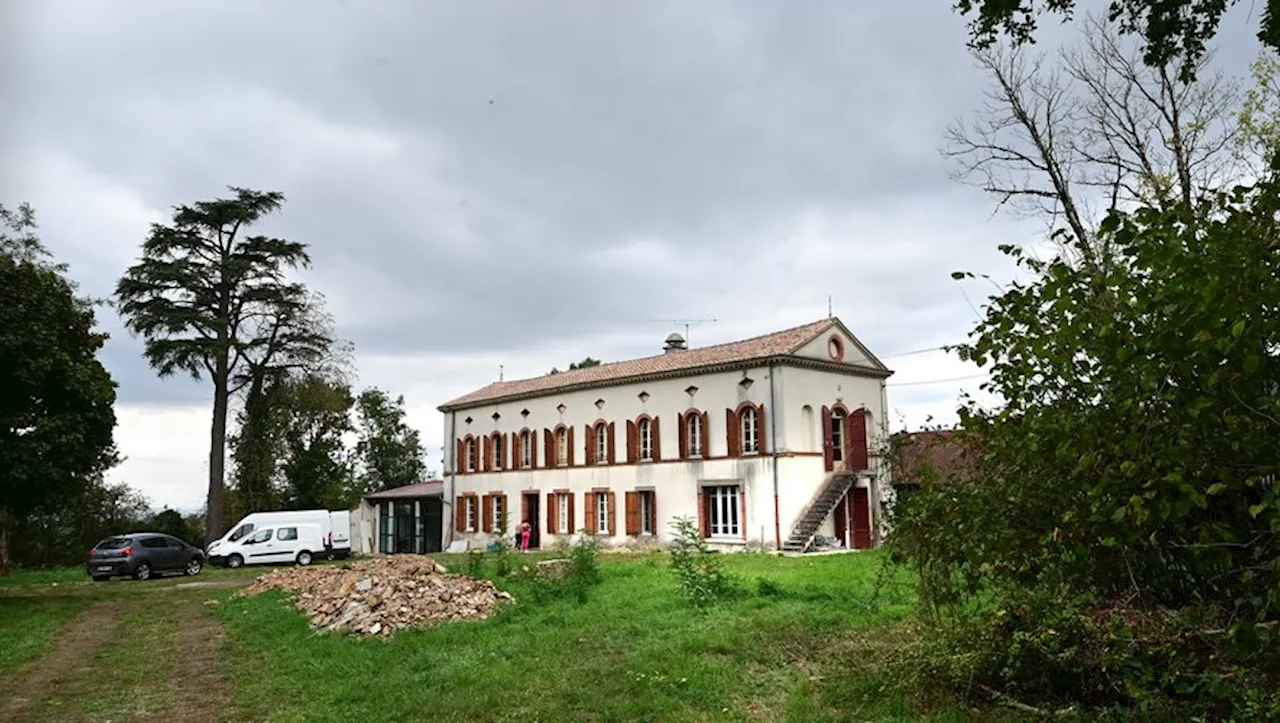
1113,541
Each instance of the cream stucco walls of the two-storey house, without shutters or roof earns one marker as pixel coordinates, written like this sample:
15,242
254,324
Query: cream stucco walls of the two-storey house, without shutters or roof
788,429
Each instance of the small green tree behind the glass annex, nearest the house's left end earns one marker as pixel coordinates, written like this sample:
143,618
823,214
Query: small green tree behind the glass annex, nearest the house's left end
390,451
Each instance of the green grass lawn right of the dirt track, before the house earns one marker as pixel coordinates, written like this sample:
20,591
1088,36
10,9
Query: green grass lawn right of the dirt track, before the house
634,652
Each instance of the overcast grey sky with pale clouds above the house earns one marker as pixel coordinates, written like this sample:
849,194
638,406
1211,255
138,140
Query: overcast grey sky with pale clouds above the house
520,185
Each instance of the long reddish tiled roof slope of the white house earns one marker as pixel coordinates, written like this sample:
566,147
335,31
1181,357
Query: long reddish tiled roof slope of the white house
779,344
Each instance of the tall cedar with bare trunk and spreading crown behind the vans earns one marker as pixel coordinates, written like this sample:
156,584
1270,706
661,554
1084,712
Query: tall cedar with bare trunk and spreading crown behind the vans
213,301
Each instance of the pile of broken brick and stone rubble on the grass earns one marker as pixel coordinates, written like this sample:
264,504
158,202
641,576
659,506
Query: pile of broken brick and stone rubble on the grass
382,596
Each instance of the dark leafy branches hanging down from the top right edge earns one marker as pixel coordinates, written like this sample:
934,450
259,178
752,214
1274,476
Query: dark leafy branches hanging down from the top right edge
1173,30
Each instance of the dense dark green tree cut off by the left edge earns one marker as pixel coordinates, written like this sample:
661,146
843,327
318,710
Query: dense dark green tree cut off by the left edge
57,400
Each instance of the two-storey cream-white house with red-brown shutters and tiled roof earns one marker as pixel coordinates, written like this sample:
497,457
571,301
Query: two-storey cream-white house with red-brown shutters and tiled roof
765,442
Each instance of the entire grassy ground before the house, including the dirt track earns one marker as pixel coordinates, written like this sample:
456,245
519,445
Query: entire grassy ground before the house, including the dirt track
166,649
